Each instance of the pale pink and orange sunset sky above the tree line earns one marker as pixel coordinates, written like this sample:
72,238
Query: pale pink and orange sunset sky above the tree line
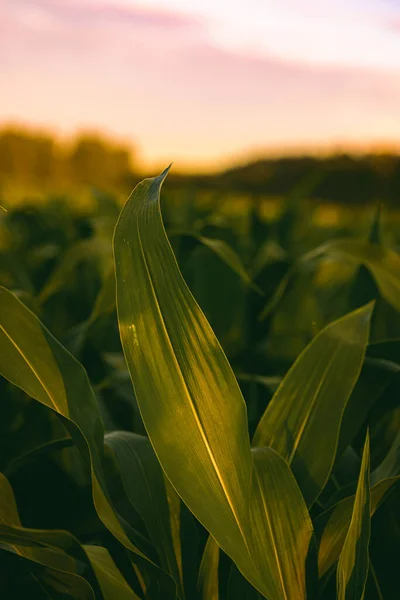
205,82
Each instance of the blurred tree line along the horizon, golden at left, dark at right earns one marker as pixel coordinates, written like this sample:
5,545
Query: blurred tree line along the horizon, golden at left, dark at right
37,157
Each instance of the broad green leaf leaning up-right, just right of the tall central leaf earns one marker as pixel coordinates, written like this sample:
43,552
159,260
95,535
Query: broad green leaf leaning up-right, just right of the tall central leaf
311,400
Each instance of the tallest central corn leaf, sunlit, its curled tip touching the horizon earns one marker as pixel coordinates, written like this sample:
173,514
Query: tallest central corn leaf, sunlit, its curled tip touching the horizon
183,382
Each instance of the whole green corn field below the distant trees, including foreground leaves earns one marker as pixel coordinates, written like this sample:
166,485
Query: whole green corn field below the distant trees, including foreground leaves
198,402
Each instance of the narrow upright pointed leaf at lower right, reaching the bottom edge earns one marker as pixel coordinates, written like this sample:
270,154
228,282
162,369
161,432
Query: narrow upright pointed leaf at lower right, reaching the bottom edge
352,570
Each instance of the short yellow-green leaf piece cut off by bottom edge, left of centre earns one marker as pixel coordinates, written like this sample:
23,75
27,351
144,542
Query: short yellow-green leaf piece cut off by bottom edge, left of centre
112,583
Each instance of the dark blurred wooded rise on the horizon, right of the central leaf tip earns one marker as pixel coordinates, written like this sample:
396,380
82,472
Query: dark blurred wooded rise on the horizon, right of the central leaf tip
338,178
